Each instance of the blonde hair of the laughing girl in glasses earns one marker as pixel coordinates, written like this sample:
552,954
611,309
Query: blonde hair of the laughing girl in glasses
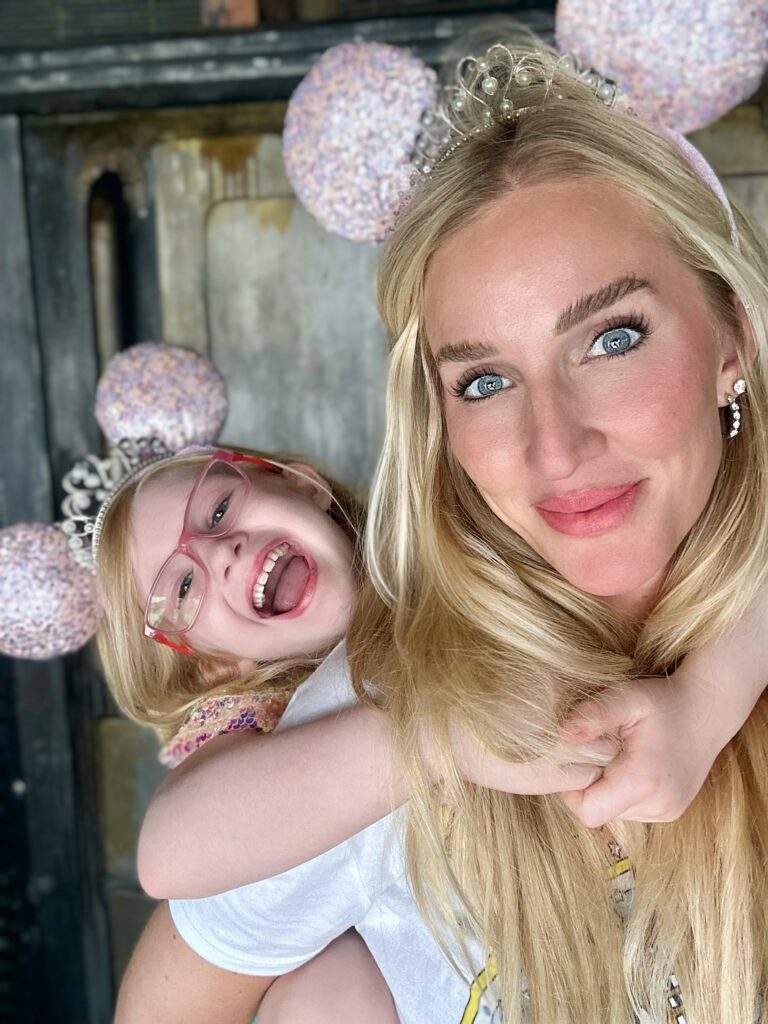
151,684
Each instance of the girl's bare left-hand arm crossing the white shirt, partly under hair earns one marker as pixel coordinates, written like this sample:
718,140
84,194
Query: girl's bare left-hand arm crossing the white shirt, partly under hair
244,808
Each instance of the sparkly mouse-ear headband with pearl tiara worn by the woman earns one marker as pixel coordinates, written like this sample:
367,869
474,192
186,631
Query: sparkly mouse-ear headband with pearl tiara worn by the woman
369,121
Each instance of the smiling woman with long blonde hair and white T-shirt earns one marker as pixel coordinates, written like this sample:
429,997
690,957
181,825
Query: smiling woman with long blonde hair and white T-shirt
557,505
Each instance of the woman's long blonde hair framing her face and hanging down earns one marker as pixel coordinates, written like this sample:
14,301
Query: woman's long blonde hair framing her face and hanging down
462,618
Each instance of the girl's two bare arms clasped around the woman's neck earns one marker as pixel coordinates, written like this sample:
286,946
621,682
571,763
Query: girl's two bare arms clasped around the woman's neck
244,808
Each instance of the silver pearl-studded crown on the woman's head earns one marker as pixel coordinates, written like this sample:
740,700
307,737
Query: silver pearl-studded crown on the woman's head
482,98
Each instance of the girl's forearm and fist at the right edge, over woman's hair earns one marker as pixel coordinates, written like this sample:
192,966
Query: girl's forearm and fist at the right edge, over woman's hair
673,730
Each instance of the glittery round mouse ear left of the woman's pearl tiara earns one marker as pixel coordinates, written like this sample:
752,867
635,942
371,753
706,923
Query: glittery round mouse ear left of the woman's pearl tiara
350,135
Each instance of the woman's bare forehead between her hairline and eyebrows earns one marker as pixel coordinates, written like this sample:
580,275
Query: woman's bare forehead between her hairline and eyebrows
537,251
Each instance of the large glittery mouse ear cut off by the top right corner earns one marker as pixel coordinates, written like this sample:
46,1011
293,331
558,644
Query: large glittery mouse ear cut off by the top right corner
686,63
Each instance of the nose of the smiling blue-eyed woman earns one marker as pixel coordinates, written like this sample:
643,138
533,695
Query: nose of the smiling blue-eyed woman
561,434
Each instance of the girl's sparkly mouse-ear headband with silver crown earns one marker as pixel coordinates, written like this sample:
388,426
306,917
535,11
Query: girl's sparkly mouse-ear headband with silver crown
153,401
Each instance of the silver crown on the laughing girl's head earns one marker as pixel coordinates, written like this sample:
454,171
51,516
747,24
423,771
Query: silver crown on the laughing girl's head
92,487
